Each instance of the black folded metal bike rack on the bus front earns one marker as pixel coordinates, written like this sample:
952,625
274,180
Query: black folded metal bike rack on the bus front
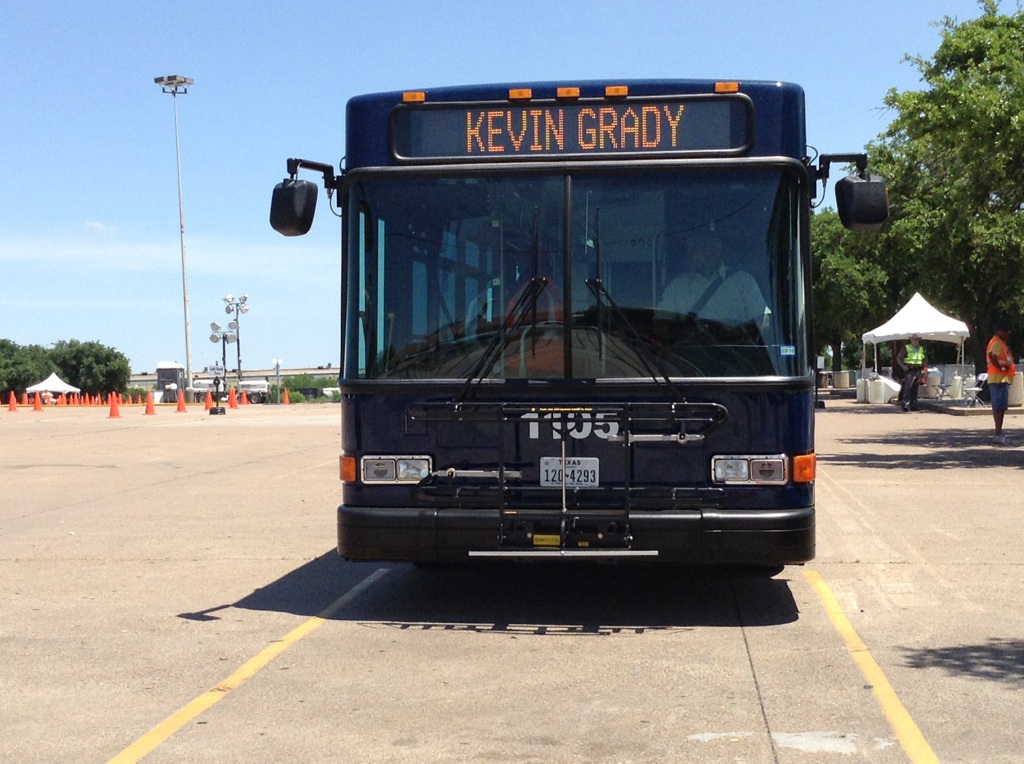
531,521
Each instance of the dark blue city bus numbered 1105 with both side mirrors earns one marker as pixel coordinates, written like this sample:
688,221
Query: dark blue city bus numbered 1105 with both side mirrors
577,321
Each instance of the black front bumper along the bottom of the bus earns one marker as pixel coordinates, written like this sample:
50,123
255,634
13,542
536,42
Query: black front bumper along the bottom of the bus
719,537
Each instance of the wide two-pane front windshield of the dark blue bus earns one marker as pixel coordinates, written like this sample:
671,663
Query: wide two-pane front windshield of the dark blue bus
580,276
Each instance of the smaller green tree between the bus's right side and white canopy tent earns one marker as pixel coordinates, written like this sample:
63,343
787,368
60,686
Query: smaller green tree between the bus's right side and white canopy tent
847,284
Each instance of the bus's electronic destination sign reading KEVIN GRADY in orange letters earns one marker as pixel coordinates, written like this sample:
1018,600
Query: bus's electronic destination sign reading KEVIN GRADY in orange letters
677,126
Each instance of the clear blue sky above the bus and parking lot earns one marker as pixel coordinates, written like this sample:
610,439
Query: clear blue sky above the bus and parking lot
90,245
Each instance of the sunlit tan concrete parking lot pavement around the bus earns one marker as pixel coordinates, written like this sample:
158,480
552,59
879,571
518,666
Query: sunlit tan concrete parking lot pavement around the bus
172,595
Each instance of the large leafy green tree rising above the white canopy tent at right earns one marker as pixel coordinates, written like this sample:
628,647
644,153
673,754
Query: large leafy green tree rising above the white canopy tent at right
953,159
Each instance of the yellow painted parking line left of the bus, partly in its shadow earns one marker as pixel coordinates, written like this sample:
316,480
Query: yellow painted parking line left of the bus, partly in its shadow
148,743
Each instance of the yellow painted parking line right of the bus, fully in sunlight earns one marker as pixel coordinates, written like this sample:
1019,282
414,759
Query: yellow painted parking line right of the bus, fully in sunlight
907,731
